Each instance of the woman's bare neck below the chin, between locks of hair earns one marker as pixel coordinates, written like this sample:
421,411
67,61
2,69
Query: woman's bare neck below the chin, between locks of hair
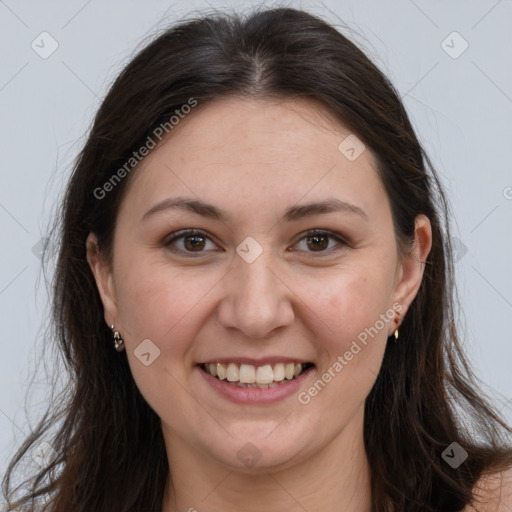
336,478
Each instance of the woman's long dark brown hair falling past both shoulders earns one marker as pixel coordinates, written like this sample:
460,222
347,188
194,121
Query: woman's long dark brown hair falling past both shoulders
109,445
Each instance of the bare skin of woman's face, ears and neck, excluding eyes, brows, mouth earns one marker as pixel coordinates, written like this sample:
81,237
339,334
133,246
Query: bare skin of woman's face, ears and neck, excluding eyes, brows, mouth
254,158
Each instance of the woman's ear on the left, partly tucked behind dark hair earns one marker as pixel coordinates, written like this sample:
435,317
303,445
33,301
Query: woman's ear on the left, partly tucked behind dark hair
104,279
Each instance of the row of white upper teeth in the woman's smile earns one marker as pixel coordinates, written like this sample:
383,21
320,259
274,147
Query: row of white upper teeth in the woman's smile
248,373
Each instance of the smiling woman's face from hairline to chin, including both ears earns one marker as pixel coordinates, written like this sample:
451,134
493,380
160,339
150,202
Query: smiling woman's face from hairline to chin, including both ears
252,288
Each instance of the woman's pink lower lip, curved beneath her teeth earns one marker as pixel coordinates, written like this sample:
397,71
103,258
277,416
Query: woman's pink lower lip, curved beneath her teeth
256,395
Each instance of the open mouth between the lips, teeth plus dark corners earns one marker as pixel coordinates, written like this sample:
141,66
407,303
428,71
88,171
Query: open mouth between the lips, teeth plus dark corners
255,376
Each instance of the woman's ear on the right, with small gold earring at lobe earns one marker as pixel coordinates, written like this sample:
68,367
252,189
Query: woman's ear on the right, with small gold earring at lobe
412,266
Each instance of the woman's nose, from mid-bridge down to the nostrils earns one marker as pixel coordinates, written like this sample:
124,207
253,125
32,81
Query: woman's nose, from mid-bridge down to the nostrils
256,299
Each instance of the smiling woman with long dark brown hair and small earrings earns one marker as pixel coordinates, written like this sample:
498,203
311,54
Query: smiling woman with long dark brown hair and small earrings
254,292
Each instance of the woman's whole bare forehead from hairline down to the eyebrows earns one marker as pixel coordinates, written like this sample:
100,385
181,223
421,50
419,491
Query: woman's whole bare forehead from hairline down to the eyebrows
256,152
